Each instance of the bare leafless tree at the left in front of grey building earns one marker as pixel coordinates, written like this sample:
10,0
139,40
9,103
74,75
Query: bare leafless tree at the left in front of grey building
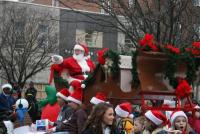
27,38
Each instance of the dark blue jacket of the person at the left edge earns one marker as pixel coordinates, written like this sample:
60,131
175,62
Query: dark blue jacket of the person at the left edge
6,102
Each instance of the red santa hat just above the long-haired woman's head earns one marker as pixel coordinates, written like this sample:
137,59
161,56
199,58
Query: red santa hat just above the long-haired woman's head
99,98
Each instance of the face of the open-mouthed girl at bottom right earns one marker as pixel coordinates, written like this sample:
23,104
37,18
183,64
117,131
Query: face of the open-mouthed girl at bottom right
180,123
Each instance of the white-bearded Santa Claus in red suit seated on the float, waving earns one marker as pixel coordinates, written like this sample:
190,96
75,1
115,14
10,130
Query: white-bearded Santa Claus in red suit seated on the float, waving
75,68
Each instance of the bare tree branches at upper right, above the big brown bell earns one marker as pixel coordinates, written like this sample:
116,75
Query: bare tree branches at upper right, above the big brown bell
170,21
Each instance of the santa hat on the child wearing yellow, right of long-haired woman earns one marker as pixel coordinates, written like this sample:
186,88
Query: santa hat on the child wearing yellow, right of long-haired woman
124,110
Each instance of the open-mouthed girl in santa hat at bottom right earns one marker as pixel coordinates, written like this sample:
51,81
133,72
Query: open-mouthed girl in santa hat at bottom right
179,121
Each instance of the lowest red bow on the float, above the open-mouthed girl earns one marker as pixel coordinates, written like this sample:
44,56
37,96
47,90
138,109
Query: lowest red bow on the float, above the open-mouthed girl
183,89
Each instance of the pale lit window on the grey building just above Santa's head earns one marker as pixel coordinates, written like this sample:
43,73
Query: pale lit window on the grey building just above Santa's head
93,39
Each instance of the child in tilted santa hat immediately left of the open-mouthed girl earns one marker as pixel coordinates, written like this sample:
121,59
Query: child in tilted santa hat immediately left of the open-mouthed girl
155,121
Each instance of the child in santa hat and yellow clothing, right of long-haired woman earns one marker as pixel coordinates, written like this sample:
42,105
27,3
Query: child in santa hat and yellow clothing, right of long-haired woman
125,118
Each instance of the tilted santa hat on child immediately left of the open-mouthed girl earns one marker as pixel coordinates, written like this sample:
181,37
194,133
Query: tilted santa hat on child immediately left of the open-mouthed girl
157,117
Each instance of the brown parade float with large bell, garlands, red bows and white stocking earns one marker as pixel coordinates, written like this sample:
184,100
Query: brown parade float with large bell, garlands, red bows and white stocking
152,72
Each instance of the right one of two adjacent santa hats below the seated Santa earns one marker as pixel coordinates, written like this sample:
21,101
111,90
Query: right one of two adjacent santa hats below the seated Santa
76,96
